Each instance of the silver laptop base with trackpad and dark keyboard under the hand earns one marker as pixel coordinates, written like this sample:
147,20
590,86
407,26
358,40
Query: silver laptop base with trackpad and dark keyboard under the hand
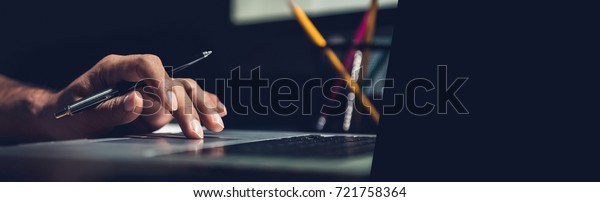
166,155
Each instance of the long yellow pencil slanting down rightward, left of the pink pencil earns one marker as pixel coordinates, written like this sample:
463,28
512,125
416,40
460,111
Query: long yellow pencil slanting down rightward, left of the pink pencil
318,39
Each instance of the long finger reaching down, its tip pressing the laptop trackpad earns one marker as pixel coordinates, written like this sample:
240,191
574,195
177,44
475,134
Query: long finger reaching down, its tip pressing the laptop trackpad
186,114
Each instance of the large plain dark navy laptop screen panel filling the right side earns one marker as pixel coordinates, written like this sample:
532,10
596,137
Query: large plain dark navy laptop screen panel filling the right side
532,93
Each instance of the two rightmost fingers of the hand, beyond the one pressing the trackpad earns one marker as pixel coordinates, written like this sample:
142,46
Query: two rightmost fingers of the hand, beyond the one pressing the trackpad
206,103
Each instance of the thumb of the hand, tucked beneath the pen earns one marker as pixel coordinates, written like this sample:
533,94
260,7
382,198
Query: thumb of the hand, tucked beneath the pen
117,111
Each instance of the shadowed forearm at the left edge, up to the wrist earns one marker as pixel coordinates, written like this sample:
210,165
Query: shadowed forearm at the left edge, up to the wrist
20,109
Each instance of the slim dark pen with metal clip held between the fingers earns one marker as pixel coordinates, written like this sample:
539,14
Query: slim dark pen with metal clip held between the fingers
107,94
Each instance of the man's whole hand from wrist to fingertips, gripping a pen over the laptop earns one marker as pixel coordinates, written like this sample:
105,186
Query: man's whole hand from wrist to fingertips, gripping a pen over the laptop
144,110
